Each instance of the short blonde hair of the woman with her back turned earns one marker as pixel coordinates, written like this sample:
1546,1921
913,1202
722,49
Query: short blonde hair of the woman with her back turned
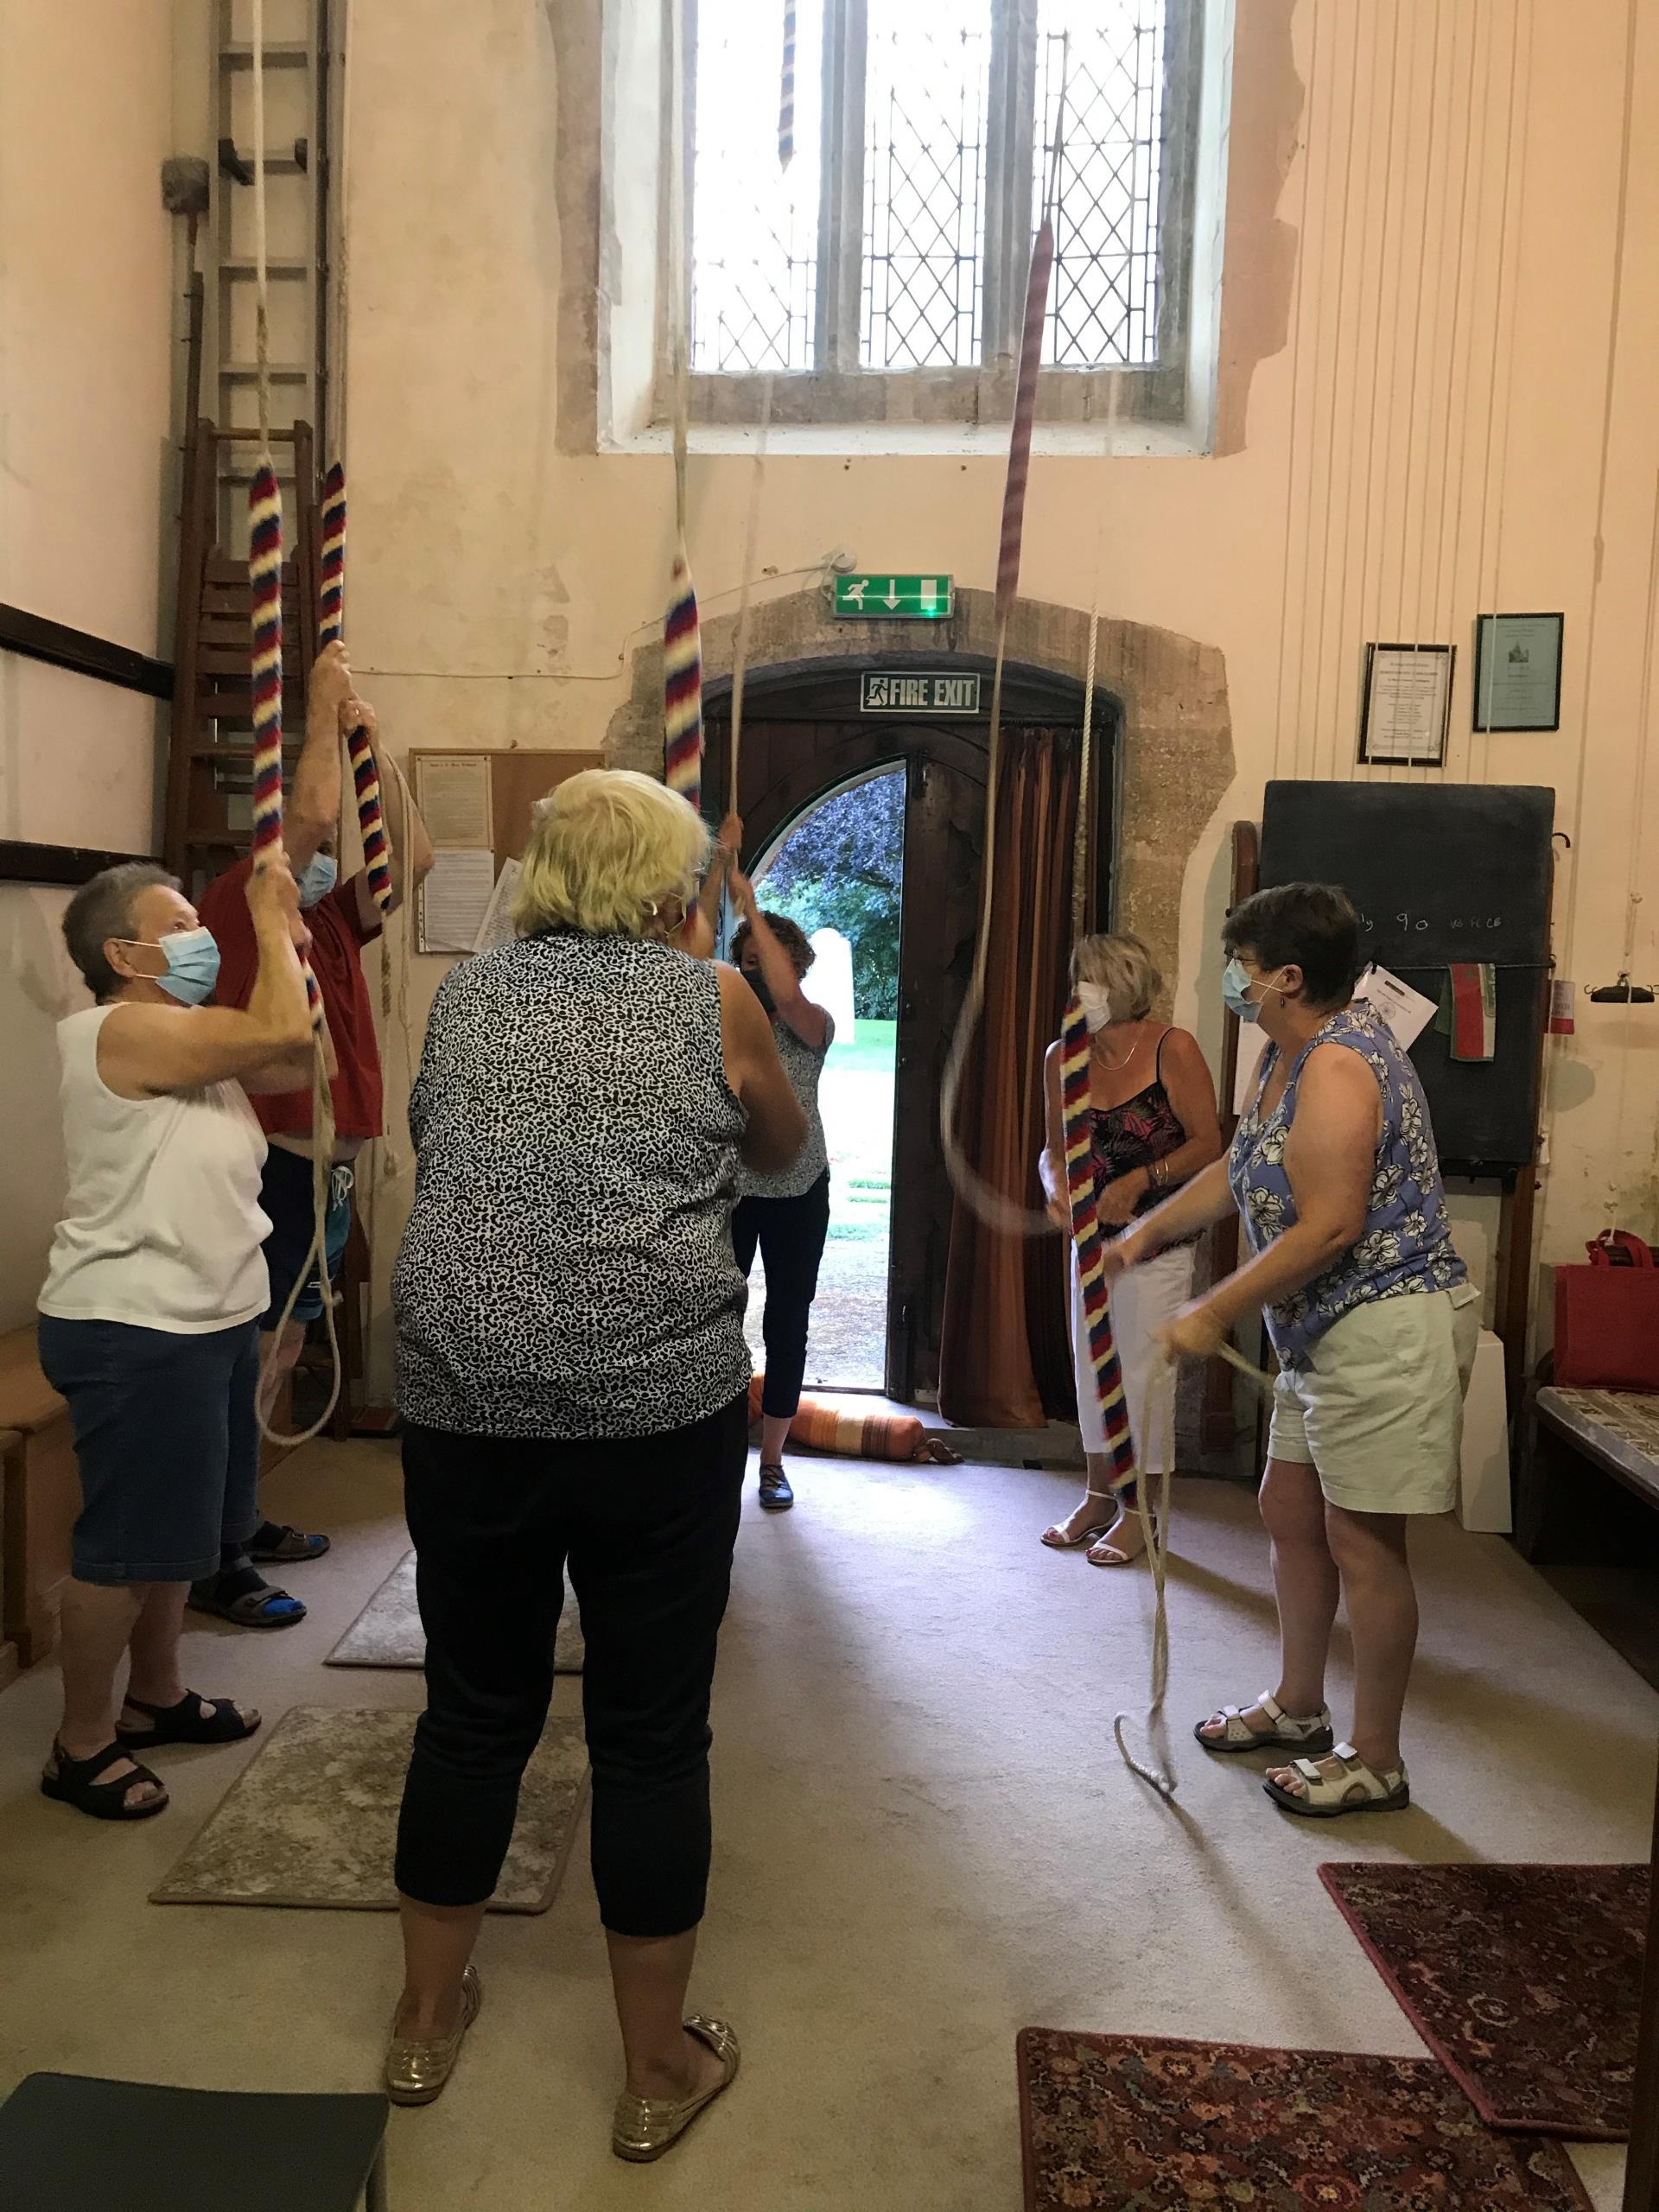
607,851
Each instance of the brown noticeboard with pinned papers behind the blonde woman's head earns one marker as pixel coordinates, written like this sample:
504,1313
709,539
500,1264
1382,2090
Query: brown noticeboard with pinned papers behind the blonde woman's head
477,806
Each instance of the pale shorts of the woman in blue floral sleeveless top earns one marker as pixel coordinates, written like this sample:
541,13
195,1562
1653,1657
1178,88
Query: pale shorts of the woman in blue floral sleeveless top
1377,1408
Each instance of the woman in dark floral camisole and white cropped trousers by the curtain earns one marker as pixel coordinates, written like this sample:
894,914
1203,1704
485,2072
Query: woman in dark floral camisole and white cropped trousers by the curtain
1154,1127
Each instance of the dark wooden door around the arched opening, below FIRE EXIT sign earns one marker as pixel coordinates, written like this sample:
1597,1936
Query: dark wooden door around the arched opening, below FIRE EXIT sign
806,735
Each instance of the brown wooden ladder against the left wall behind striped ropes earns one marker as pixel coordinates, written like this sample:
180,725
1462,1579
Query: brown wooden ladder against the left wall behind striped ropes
209,797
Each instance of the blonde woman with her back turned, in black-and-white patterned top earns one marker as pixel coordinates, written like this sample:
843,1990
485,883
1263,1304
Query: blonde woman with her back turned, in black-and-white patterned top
574,1388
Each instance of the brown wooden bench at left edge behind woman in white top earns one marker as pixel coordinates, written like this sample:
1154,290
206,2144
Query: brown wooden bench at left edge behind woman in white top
39,1501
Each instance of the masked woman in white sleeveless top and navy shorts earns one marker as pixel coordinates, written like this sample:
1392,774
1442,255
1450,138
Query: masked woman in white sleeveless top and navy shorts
152,1304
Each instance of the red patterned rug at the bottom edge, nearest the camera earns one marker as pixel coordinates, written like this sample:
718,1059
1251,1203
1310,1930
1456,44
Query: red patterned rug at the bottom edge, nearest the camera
1147,2125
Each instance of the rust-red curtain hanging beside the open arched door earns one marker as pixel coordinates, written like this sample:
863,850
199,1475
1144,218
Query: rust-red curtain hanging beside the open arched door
1005,1350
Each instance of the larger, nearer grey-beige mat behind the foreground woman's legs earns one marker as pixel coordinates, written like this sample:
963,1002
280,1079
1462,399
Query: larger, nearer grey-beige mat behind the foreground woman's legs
313,1819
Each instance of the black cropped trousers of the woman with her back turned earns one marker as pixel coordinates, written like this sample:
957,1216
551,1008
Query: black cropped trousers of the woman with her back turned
647,1527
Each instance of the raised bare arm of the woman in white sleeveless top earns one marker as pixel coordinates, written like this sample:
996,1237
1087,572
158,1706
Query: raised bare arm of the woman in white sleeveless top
149,1052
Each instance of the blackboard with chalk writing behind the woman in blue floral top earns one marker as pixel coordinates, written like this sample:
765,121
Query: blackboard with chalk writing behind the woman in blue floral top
1441,873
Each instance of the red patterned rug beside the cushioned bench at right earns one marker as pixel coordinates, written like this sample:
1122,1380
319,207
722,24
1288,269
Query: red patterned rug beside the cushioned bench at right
1523,1981
